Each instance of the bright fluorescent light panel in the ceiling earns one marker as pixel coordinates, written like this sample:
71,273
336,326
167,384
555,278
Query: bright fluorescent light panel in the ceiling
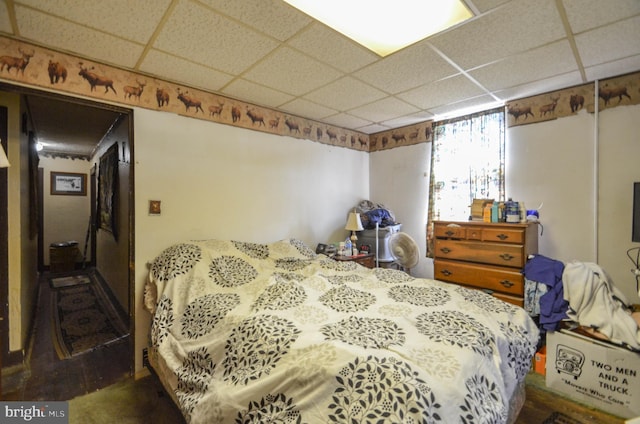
385,26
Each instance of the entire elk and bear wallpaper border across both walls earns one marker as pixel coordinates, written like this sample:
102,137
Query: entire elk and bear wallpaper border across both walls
55,71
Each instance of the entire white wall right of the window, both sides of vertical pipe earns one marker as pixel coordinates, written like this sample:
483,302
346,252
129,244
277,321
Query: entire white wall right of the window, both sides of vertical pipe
558,163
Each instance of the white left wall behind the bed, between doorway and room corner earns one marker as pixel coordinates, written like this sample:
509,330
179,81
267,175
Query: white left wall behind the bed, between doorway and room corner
218,181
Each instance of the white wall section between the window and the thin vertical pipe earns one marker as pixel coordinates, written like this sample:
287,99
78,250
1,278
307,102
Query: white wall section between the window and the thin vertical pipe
552,163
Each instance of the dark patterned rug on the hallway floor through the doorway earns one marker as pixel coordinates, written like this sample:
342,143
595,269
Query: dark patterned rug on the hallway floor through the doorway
84,319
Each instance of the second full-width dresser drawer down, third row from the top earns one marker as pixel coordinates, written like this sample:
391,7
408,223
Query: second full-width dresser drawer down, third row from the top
488,277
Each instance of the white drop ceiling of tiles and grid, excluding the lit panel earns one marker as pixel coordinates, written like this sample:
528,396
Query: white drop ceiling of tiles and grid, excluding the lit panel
270,54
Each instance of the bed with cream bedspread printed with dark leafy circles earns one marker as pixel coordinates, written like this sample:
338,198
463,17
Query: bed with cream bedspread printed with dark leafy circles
250,333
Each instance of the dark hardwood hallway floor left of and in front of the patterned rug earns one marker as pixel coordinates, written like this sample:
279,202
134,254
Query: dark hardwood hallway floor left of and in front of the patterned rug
46,377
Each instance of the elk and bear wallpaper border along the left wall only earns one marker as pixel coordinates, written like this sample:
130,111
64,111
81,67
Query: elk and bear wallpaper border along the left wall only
61,72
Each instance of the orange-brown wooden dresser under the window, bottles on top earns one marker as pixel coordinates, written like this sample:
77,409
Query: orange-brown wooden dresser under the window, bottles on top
487,256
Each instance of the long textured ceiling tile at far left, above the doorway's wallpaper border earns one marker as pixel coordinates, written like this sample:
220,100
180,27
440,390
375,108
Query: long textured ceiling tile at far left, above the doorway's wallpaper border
67,36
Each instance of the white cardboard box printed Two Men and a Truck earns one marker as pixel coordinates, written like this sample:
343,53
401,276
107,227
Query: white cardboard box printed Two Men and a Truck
593,372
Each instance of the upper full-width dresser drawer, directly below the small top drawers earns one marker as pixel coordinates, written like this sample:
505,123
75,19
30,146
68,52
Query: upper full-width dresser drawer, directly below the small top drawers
511,255
